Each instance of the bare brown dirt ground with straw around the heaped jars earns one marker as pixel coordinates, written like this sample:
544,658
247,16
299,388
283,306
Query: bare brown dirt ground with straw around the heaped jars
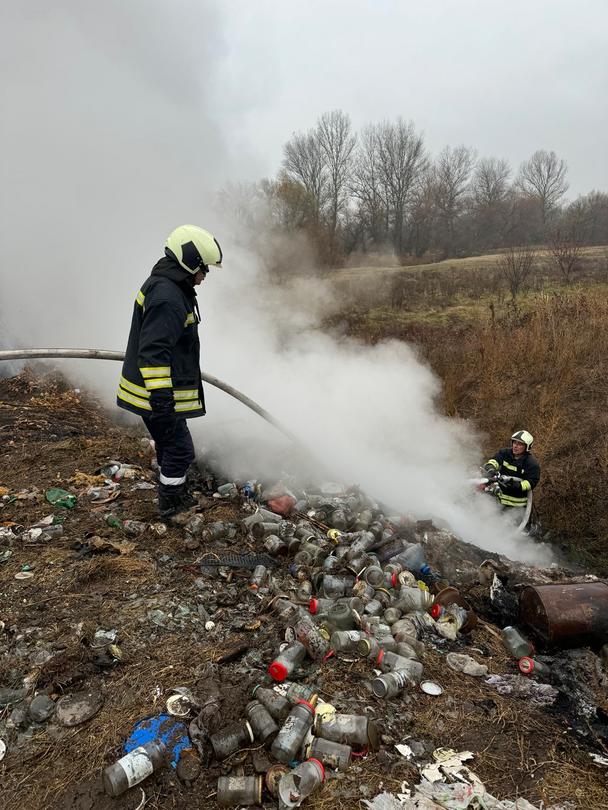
150,589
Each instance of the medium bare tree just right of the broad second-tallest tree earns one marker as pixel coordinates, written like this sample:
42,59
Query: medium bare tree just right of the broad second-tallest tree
452,172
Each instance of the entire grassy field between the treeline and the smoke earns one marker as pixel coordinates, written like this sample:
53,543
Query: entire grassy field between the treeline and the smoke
542,364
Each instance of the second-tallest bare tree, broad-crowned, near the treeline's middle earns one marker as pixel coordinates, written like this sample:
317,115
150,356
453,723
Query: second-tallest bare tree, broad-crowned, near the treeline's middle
402,158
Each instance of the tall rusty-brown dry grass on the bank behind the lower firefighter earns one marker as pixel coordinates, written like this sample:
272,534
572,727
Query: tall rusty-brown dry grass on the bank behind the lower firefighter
545,368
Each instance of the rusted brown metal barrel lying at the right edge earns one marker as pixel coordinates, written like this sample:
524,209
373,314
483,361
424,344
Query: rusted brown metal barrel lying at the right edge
568,614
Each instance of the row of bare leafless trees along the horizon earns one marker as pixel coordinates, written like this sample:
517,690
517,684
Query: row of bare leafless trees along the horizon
381,190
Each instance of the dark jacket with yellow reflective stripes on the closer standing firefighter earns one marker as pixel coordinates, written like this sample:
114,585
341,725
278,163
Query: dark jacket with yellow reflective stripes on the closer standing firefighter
161,372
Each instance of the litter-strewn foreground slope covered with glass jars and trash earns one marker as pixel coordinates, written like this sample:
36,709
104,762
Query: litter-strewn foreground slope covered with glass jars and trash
284,646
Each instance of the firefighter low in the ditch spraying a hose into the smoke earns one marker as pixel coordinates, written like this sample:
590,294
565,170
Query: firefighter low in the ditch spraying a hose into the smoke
518,463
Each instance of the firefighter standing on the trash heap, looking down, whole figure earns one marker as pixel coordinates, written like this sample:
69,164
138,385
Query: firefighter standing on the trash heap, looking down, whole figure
161,379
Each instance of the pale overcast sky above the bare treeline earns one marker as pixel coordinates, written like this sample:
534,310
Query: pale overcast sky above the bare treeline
505,78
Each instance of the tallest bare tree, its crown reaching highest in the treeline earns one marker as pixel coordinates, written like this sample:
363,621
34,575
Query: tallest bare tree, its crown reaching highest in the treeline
336,143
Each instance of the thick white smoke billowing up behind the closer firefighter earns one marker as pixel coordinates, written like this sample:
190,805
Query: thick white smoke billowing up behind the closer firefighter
109,145
